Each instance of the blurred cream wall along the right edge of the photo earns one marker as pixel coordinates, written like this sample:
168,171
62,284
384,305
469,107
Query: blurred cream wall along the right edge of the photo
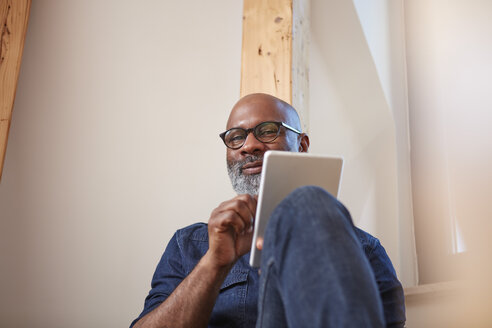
449,72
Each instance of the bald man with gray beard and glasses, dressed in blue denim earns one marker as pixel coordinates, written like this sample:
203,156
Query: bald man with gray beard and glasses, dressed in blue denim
317,269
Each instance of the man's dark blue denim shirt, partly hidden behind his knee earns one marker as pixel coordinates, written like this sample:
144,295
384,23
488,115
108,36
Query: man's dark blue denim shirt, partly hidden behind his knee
236,305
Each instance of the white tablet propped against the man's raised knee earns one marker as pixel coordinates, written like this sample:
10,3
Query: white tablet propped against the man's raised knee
282,173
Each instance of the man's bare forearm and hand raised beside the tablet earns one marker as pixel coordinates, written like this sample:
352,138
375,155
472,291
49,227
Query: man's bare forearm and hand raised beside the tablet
230,231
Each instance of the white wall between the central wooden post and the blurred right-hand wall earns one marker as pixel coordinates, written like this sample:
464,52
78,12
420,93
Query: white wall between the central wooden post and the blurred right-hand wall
358,110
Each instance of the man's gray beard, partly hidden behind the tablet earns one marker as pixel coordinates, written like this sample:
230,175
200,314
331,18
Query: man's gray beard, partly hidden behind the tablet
244,184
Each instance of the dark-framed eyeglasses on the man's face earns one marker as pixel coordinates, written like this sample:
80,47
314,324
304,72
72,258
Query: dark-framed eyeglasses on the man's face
265,132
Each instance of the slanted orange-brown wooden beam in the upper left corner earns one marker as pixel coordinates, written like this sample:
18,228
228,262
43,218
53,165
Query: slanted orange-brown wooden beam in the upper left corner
14,15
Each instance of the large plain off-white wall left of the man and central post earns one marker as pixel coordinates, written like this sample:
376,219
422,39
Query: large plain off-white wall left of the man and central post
113,146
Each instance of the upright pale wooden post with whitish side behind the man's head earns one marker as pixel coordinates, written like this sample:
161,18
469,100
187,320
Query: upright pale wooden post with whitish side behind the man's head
275,51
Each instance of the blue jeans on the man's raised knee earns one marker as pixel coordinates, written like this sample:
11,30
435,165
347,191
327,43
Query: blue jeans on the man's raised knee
314,272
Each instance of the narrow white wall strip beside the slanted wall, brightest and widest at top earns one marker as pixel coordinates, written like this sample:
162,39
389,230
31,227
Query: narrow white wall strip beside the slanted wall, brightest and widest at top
383,25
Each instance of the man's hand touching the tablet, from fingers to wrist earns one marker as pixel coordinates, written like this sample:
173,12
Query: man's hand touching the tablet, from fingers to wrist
230,230
